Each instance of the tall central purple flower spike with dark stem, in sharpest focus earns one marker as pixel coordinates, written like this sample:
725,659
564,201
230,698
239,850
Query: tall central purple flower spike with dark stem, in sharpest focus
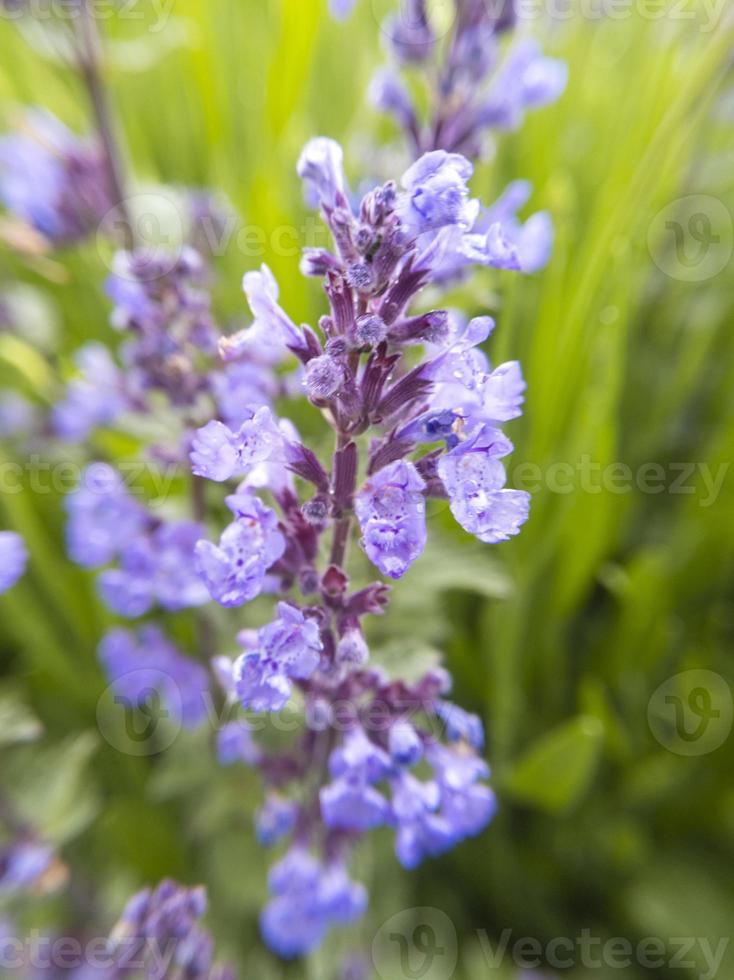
415,410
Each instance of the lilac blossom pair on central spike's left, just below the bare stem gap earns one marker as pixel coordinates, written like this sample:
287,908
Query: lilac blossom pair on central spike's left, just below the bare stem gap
289,647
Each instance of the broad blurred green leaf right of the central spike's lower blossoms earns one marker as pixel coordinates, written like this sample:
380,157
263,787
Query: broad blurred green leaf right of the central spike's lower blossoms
557,771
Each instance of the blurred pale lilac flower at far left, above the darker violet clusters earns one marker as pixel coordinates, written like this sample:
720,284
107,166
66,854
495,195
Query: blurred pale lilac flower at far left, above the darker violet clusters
94,399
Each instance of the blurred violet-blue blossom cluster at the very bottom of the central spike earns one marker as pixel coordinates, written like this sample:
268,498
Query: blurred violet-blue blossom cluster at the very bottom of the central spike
308,898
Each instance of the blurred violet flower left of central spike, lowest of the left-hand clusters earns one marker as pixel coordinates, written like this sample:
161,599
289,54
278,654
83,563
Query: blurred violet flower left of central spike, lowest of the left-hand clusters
143,666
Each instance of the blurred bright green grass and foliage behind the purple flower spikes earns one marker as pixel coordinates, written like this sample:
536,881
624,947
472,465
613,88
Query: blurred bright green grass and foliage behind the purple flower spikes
609,820
